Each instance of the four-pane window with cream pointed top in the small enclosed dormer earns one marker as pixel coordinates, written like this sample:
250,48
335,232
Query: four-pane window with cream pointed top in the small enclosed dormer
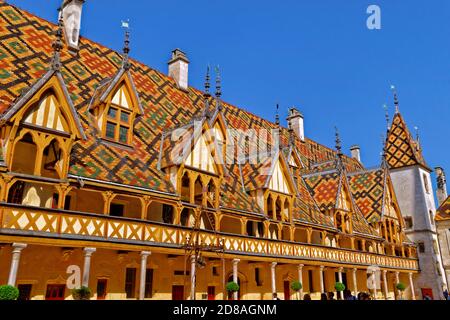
119,117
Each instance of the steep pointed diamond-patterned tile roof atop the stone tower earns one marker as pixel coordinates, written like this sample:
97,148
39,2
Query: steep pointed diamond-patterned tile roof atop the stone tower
401,149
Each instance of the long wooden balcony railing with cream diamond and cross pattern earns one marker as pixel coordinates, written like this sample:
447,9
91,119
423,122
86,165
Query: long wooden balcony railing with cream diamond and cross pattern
36,221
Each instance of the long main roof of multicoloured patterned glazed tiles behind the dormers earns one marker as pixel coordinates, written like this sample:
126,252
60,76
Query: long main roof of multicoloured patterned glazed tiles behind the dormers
25,54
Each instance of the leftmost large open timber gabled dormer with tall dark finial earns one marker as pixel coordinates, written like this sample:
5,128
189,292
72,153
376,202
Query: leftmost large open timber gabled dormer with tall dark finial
41,126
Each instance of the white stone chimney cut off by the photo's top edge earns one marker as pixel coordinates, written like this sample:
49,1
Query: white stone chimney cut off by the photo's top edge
71,14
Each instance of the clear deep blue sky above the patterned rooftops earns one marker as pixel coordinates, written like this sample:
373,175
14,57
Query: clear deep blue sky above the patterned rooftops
316,55
